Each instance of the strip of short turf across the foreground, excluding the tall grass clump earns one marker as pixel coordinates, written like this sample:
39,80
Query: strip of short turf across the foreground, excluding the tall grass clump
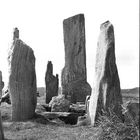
41,129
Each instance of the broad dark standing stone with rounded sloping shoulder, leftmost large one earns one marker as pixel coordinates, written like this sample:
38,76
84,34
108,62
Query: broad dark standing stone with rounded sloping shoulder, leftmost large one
22,80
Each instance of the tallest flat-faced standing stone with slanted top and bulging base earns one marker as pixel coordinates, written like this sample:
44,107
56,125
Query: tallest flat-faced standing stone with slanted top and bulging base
74,77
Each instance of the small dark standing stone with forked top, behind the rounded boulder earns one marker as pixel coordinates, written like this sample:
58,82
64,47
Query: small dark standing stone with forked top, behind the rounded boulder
52,83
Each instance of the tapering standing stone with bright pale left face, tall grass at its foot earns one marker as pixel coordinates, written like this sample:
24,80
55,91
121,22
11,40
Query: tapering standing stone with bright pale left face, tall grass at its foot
106,93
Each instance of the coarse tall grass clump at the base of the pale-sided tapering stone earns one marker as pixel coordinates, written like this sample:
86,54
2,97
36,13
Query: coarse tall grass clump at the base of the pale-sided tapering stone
112,128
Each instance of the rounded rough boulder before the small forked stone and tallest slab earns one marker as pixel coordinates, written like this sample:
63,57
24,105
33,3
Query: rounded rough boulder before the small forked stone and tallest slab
59,104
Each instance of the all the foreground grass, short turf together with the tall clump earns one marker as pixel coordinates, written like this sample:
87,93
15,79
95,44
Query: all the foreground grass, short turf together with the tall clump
39,128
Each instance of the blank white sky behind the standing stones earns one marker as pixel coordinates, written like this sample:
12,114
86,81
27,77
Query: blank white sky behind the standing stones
40,23
